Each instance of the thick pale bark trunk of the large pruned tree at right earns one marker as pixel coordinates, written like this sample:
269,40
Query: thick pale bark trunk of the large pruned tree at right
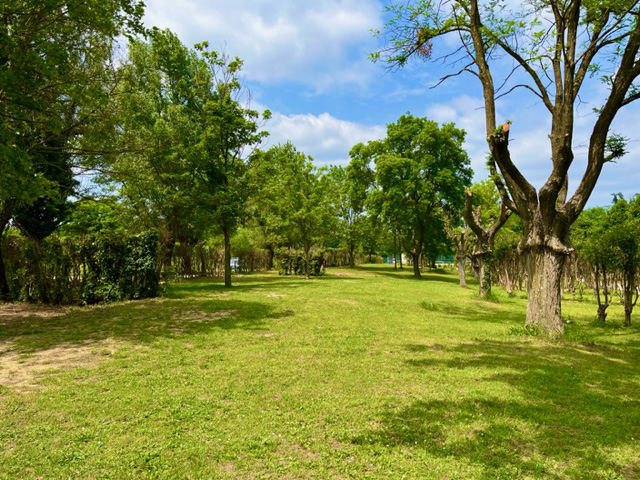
544,278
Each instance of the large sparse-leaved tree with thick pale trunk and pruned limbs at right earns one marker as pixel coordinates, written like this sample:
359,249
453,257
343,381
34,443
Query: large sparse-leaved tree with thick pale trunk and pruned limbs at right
554,47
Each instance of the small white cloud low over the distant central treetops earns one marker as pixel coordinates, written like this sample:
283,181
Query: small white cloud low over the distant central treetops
326,138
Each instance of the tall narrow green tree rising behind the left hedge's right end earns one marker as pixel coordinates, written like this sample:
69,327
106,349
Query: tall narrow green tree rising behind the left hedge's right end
159,110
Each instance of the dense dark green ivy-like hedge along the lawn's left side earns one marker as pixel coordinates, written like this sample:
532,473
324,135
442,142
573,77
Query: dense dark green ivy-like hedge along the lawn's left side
83,269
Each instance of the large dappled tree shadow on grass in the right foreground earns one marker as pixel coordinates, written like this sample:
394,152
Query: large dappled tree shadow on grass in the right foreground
568,408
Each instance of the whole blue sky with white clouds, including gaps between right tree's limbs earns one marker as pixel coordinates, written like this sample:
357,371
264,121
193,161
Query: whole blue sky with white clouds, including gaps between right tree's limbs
307,62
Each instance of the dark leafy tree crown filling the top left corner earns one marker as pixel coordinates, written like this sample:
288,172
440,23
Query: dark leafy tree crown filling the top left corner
56,79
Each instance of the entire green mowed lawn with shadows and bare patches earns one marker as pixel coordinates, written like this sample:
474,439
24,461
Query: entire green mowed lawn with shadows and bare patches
363,373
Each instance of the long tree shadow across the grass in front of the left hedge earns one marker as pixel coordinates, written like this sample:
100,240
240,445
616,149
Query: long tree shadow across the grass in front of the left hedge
141,321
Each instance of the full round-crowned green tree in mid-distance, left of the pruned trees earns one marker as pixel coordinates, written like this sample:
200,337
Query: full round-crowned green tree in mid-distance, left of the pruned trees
419,167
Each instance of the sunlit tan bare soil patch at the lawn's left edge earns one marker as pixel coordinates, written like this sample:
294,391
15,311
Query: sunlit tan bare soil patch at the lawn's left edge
21,373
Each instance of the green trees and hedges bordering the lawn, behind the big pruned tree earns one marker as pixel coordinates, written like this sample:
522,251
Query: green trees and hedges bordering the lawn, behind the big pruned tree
181,181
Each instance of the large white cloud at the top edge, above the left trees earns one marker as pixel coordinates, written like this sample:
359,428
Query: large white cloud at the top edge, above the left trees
322,44
